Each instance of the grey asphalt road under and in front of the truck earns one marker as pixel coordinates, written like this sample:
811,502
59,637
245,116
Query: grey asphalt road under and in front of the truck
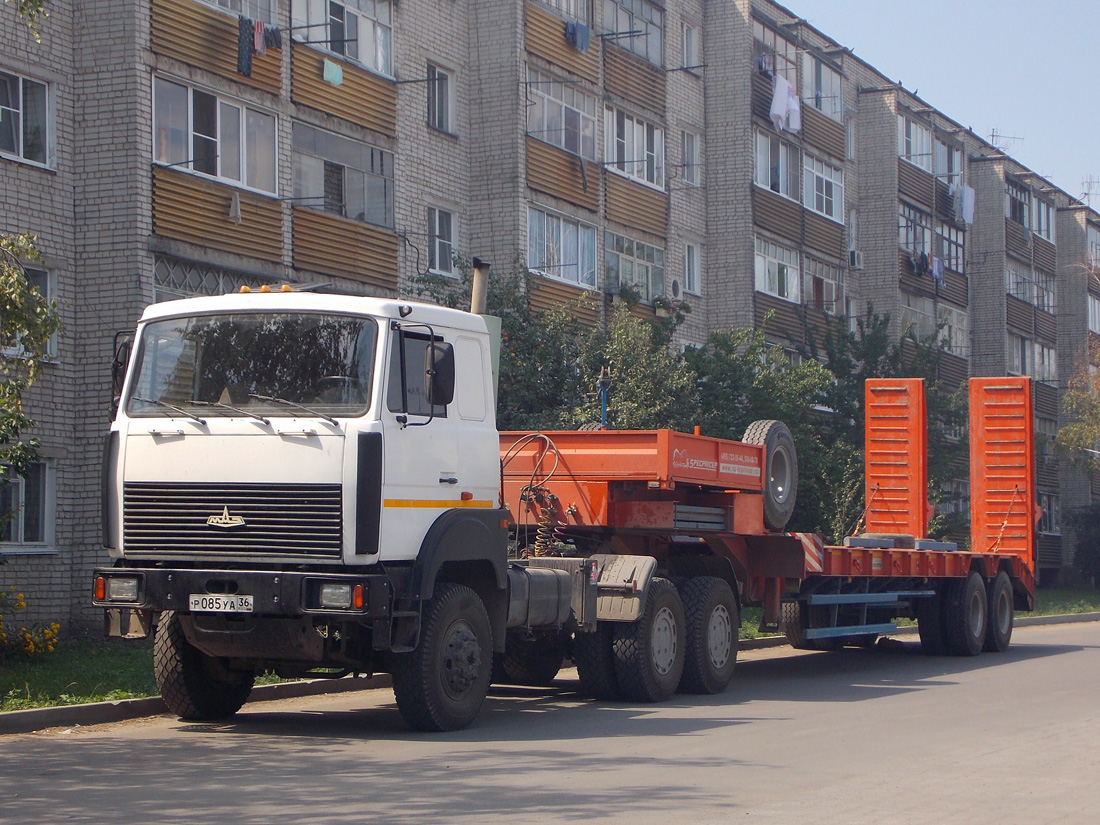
856,736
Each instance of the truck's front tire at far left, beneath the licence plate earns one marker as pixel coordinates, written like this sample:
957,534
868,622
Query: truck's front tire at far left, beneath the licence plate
194,686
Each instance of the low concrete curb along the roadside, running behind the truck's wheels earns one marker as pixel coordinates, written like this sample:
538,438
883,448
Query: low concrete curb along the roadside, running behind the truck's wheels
98,713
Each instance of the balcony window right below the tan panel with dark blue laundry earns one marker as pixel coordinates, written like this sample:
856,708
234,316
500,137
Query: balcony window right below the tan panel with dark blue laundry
562,115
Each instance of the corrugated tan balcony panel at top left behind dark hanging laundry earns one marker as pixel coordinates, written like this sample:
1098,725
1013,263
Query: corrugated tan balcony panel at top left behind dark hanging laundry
202,37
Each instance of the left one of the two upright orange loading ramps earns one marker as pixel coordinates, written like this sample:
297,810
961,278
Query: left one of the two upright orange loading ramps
896,455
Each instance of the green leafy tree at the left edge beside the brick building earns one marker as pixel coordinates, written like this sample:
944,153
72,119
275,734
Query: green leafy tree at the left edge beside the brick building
27,324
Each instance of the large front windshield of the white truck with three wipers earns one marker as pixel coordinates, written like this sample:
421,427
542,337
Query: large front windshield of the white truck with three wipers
257,365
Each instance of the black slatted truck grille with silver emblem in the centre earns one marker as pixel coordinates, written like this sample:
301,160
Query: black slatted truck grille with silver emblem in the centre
292,520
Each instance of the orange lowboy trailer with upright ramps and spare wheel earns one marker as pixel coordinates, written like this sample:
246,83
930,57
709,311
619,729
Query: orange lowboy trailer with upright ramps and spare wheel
710,507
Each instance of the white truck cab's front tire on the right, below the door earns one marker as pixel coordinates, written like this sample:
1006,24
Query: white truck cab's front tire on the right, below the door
442,685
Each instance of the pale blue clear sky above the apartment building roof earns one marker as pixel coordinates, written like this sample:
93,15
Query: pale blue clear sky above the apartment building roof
1026,69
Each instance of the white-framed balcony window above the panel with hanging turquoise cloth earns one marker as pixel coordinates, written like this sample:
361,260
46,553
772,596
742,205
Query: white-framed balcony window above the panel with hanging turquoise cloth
360,30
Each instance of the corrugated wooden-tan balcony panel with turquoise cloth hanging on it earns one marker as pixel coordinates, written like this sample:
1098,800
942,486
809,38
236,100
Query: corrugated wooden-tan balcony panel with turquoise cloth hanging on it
364,97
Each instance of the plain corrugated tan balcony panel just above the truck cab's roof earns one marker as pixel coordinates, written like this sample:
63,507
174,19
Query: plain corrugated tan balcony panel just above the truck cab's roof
329,244
